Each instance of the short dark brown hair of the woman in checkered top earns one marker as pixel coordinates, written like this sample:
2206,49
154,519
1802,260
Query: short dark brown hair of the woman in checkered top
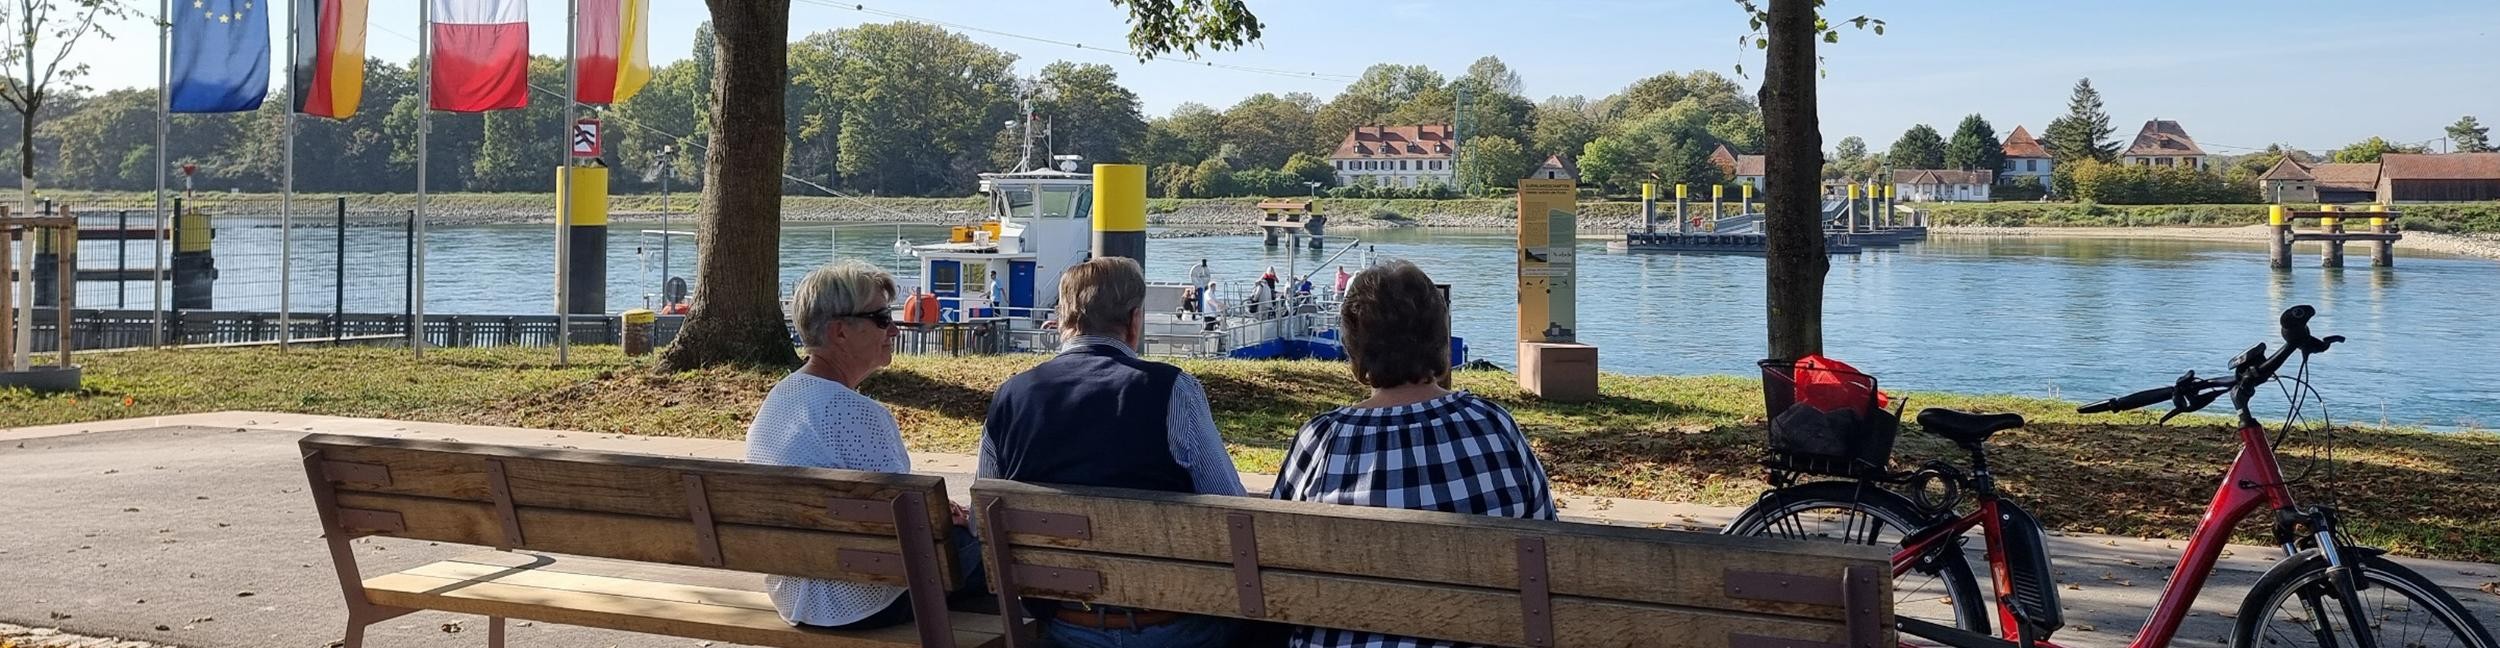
1396,327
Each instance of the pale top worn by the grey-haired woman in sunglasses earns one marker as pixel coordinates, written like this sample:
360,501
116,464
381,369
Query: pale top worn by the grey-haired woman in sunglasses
824,424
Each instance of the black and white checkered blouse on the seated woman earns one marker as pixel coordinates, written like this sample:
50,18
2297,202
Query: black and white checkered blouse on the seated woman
1456,454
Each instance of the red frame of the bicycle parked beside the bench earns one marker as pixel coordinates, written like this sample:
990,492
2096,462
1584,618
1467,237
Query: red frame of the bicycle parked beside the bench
2256,479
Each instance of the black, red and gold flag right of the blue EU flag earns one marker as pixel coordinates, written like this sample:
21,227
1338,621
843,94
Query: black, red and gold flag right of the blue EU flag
329,59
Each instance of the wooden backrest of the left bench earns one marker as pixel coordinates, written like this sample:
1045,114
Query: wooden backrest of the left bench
649,509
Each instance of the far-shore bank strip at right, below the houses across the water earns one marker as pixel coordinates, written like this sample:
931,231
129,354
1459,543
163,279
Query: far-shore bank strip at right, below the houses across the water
2431,219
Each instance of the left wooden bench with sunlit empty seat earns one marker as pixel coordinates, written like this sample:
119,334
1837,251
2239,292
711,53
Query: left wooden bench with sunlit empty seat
636,537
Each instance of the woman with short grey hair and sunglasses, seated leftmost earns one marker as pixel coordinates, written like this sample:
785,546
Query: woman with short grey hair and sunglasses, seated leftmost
821,419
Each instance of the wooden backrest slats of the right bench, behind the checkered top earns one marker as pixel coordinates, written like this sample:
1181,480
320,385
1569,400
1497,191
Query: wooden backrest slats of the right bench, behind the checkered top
1476,552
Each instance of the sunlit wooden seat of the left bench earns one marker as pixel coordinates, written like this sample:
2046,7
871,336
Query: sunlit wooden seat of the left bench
634,604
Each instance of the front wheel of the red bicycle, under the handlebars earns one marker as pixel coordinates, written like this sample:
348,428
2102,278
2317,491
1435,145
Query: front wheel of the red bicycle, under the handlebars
2296,607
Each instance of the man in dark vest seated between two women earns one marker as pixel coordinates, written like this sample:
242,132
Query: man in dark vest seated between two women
1104,417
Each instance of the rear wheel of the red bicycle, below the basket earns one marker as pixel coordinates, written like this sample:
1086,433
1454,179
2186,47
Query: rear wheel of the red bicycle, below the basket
1939,589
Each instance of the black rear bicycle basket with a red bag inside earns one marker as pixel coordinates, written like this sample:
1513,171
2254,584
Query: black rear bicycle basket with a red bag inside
1826,422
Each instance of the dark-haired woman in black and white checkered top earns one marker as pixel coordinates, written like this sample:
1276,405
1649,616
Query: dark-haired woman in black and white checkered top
1414,444
